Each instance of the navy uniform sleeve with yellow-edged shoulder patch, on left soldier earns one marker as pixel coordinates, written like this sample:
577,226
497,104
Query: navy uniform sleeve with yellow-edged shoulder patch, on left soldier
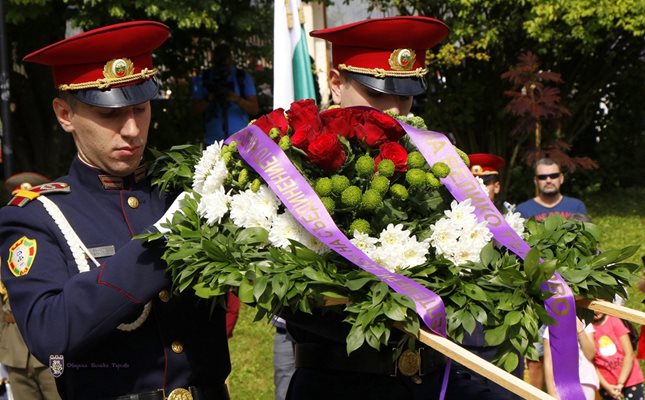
58,309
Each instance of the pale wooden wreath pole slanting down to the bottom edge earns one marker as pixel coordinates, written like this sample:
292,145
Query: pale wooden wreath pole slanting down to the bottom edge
464,357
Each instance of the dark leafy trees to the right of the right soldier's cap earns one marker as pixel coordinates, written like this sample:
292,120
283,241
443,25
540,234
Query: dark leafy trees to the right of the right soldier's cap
597,47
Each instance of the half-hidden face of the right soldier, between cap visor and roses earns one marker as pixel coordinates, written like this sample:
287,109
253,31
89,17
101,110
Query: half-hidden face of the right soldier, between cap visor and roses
350,93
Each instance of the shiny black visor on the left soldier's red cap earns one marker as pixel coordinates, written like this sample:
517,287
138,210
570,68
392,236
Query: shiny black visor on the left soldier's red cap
123,96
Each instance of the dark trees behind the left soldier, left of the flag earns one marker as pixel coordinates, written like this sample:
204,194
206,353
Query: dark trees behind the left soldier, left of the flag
196,28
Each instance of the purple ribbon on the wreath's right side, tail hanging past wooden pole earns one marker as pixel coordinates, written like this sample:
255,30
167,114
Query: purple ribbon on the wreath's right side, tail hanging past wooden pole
461,183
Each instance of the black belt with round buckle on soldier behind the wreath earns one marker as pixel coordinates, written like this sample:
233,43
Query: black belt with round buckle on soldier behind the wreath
424,361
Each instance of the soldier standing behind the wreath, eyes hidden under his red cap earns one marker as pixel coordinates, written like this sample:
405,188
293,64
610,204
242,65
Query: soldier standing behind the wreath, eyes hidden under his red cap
378,63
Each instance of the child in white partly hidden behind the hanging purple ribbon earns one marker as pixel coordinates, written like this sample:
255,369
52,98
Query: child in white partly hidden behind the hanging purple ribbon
586,369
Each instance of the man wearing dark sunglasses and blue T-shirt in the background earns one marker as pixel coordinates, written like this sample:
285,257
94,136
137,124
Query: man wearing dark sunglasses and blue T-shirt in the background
548,179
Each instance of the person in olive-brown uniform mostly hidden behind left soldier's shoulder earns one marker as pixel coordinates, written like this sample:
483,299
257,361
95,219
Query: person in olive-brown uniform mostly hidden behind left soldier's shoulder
28,377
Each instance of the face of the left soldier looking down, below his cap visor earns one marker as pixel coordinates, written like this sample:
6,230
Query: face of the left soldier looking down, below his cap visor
110,139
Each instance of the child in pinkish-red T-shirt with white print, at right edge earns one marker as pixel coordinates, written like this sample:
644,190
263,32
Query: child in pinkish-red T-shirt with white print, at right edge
620,374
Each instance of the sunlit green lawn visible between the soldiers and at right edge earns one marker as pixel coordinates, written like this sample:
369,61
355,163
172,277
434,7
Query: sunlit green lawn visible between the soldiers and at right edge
619,214
